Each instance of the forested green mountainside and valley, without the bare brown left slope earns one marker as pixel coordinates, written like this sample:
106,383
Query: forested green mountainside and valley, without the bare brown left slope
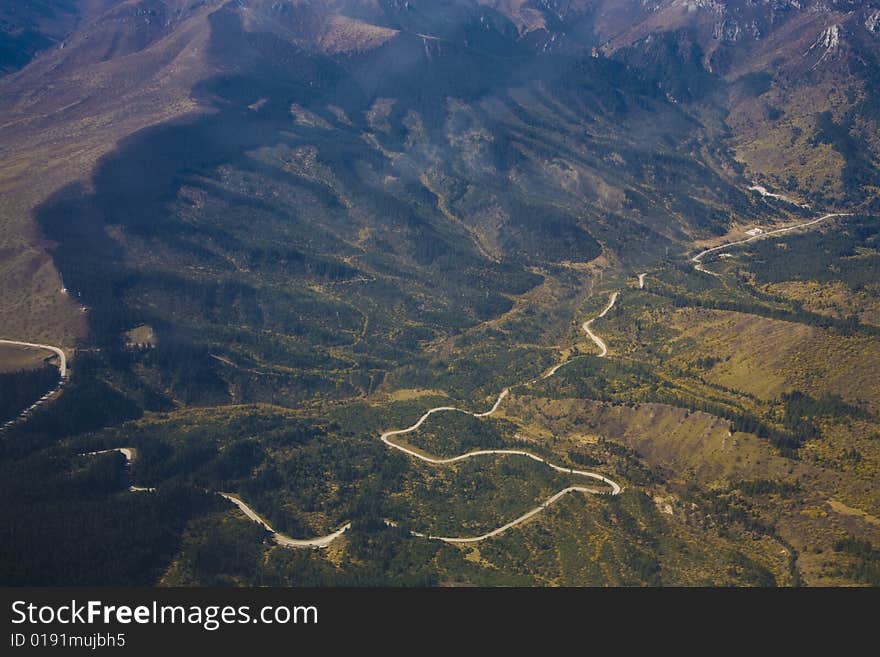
346,240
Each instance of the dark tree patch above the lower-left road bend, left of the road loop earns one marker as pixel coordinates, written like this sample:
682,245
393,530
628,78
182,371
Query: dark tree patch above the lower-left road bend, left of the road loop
310,473
